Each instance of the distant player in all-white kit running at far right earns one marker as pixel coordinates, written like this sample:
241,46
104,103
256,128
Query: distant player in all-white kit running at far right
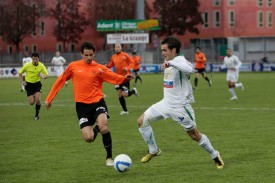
232,63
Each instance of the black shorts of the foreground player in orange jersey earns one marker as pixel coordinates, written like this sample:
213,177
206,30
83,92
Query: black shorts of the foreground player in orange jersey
88,113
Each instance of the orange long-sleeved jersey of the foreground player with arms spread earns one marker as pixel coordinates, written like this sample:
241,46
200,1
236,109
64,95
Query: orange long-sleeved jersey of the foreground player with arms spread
87,81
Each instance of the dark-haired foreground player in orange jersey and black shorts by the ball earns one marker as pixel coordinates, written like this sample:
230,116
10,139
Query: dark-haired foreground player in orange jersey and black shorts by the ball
87,78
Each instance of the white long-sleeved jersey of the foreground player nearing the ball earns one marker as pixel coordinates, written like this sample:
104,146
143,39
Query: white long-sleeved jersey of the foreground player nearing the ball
177,86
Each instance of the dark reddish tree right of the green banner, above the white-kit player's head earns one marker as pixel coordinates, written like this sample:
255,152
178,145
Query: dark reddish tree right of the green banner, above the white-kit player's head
178,16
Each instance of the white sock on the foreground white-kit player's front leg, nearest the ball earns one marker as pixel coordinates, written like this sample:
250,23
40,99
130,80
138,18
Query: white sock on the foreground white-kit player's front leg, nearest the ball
148,136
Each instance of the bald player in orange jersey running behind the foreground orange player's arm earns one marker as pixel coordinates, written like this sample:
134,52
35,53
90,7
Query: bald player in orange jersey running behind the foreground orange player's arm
123,64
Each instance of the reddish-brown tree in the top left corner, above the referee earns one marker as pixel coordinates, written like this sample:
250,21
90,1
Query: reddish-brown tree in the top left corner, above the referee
18,20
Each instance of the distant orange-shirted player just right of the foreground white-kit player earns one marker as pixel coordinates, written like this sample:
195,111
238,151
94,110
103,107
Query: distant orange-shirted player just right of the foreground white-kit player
200,60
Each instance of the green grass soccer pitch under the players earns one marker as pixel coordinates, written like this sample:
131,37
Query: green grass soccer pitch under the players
52,149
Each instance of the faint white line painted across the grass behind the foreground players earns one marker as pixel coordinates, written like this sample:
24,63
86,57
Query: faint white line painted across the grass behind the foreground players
110,106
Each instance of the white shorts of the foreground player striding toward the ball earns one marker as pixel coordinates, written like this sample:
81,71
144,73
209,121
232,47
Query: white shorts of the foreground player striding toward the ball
184,115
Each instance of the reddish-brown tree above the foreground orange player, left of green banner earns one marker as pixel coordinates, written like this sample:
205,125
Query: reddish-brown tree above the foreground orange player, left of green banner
70,21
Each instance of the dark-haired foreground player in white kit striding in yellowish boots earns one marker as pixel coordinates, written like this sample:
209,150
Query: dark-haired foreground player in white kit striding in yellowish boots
176,103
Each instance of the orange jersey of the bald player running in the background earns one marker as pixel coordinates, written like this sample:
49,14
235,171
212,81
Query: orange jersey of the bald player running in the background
122,62
